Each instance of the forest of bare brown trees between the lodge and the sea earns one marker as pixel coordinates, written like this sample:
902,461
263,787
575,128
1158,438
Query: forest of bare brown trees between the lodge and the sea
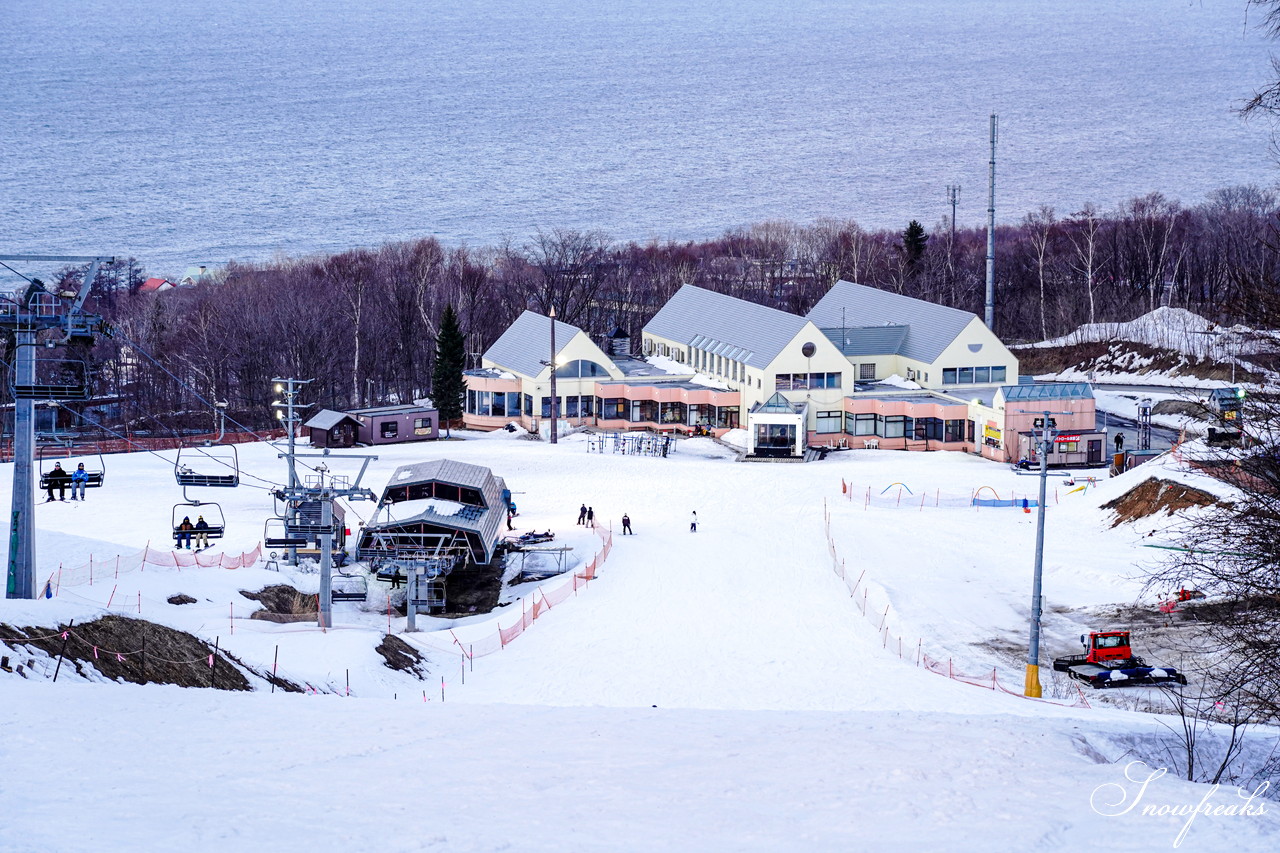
364,323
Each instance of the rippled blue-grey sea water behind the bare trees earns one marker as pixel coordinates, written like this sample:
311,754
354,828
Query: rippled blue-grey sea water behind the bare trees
184,131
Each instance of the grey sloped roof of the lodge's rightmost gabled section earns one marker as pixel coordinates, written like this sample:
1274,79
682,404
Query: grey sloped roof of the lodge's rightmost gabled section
930,327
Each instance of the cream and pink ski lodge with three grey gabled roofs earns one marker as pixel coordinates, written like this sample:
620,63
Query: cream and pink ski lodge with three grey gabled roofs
863,370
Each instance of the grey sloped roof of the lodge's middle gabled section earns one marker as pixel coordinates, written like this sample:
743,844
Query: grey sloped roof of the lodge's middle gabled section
725,326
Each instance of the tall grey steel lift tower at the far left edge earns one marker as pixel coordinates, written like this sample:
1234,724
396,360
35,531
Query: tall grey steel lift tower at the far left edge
34,320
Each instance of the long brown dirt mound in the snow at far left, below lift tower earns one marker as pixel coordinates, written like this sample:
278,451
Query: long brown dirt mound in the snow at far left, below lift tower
136,651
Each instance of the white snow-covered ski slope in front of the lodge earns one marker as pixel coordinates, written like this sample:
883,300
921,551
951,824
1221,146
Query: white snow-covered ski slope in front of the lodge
711,691
